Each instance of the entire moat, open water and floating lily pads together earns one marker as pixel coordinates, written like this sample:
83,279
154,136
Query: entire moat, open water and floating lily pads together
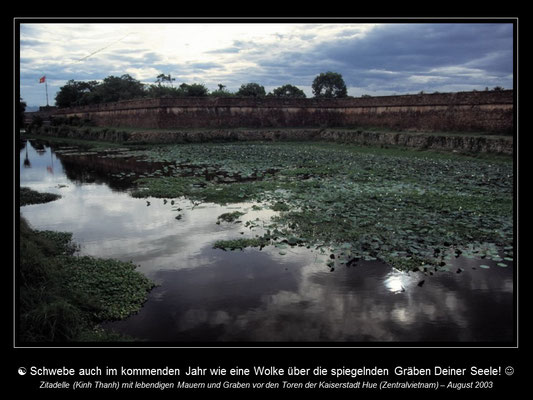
125,204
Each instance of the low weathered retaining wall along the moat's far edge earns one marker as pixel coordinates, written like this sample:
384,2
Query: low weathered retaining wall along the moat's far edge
464,143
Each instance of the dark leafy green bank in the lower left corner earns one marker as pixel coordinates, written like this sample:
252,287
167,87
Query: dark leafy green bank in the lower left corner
63,297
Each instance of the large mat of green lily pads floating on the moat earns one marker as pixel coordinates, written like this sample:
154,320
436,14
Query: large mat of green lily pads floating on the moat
409,208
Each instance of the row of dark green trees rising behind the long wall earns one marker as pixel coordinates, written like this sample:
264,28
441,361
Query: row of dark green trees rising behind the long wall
79,93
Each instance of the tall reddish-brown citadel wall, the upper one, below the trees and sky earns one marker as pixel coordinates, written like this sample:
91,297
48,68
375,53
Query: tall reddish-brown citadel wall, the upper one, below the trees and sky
490,111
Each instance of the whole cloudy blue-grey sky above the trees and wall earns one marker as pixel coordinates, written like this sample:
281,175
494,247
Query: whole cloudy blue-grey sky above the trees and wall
374,59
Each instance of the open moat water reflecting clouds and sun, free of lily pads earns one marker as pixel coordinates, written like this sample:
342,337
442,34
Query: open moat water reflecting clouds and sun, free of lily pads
210,295
